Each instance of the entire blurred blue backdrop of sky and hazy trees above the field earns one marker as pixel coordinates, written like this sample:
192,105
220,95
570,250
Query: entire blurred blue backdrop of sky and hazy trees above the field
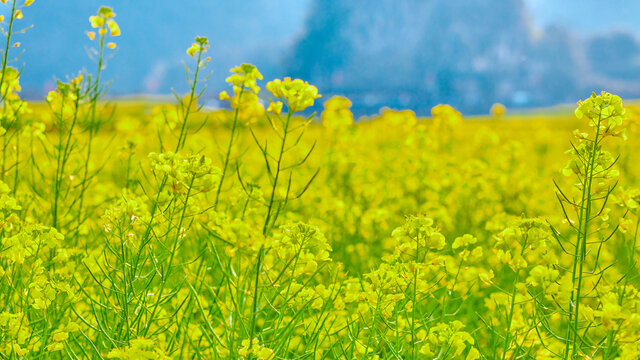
397,53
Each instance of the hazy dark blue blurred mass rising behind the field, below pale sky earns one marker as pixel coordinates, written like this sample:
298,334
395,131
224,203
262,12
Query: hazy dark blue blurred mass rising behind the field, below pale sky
416,54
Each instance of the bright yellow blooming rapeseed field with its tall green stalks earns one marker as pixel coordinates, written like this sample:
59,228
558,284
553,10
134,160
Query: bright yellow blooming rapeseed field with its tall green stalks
139,230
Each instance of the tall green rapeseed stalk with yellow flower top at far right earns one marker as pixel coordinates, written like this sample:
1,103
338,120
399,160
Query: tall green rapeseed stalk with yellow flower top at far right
594,169
